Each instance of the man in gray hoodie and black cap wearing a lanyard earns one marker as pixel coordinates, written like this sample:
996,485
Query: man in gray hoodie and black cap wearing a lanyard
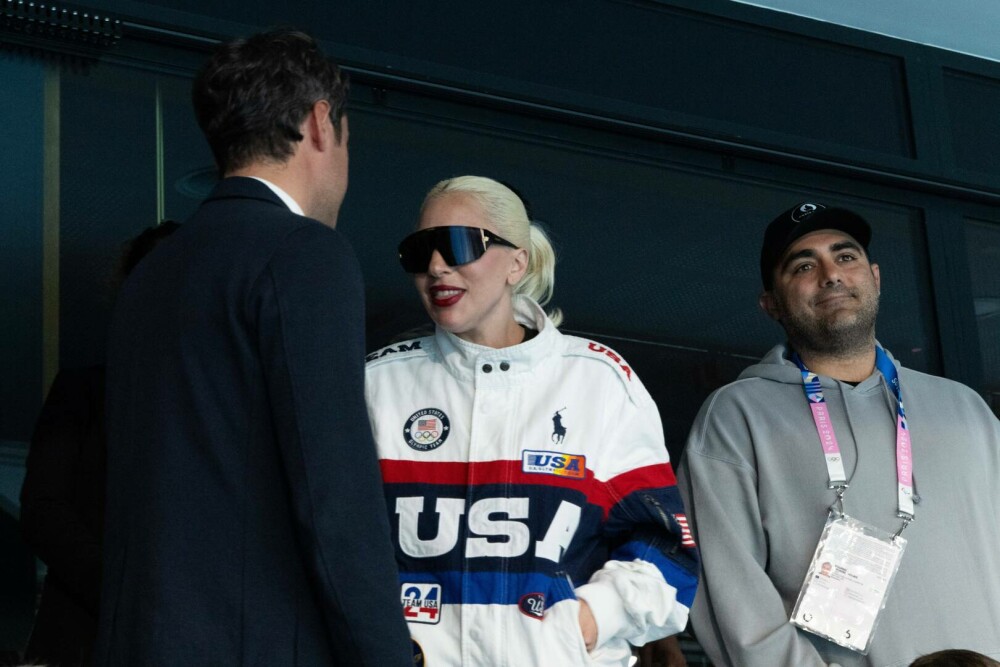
759,474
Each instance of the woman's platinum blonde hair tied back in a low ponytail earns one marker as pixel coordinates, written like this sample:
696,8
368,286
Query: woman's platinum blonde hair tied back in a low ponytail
506,212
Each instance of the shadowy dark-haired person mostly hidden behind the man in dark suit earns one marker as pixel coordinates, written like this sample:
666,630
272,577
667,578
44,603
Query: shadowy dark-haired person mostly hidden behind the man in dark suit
62,499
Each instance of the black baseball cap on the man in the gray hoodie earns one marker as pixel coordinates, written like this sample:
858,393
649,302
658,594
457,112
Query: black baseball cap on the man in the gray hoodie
800,220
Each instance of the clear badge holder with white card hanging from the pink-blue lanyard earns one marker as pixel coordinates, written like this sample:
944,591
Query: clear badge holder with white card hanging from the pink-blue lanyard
848,581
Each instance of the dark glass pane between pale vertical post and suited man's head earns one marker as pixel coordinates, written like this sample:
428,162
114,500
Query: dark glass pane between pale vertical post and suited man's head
110,157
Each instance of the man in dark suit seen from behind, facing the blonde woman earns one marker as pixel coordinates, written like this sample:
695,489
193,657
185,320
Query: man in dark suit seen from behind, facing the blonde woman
245,521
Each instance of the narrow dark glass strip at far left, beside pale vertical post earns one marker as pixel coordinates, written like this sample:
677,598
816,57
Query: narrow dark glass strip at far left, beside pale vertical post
22,173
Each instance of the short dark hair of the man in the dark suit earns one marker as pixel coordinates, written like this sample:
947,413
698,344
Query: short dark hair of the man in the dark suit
252,95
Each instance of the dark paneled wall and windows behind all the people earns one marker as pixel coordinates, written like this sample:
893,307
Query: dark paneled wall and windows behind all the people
655,140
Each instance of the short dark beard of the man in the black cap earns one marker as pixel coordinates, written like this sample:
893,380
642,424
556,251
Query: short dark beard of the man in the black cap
837,335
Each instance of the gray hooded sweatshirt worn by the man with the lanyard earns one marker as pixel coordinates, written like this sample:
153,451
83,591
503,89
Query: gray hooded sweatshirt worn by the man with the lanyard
754,481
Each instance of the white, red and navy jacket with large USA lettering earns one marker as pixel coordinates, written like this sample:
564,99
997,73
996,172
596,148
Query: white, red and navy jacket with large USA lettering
518,481
